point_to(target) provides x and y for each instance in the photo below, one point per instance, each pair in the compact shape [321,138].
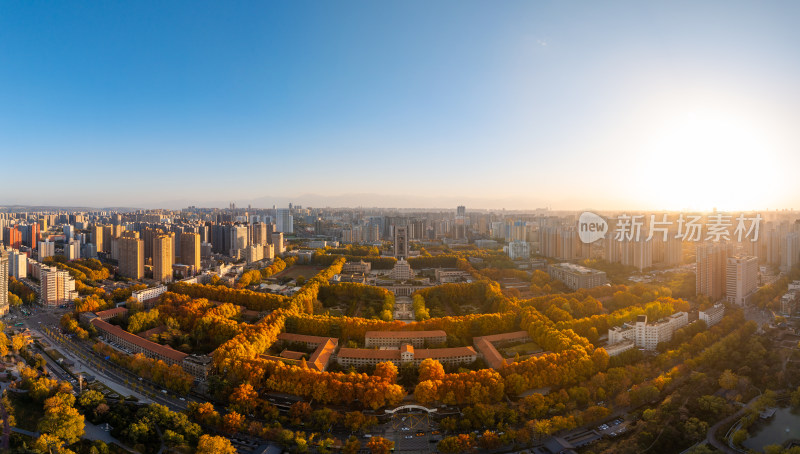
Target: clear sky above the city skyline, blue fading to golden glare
[495,104]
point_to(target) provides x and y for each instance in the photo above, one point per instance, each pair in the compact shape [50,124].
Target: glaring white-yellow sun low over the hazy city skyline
[705,159]
